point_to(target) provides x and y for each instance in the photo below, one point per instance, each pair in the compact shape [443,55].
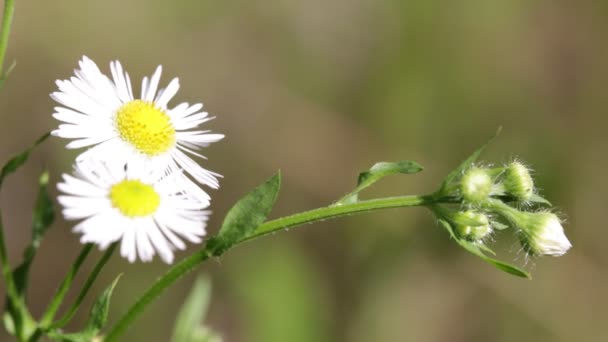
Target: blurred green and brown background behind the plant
[322,90]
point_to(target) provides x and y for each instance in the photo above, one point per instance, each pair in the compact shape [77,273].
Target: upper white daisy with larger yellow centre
[103,114]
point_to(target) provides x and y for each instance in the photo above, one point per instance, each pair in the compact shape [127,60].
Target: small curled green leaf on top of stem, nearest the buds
[375,173]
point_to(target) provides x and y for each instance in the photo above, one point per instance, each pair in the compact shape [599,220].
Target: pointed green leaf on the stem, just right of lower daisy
[246,215]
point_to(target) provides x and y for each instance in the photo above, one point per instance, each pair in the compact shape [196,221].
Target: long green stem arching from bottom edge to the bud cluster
[190,263]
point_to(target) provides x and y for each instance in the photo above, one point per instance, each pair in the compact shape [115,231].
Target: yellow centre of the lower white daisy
[134,198]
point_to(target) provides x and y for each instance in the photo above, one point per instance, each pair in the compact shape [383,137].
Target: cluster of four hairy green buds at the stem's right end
[486,192]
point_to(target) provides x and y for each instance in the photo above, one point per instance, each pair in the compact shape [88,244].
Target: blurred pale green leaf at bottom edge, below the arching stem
[192,312]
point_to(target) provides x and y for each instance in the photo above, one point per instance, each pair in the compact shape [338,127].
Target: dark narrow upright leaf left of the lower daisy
[43,217]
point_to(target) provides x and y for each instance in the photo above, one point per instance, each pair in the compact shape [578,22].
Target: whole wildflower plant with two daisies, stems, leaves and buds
[136,187]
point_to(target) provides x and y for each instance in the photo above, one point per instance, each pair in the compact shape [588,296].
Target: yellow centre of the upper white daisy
[146,127]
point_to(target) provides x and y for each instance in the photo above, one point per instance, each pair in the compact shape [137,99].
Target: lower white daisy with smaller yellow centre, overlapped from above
[139,206]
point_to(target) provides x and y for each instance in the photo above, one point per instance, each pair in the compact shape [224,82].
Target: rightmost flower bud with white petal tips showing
[542,234]
